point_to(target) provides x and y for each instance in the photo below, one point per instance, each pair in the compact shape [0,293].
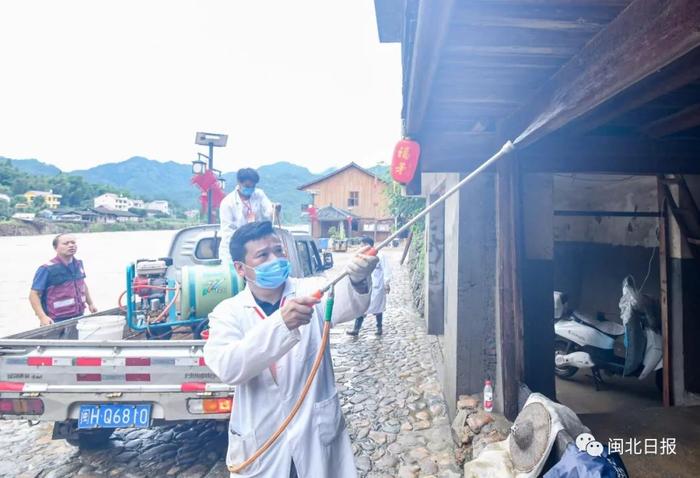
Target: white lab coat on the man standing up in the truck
[232,216]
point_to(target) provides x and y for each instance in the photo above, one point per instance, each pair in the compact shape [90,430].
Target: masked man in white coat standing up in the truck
[247,203]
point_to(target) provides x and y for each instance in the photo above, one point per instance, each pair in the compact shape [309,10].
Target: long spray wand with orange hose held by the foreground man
[505,149]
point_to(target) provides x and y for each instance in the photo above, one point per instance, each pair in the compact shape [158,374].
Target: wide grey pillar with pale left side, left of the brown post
[470,284]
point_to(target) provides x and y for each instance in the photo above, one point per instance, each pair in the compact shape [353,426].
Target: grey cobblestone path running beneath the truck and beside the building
[393,404]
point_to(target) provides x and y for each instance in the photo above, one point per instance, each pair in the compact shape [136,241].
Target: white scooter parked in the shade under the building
[583,342]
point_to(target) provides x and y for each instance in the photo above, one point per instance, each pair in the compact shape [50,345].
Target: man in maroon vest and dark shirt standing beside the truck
[59,291]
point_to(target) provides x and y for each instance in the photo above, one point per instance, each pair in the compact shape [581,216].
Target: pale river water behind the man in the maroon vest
[105,256]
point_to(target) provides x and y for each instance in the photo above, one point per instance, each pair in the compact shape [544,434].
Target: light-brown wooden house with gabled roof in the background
[353,198]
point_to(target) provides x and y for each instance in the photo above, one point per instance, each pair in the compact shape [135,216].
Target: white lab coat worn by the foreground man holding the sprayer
[241,351]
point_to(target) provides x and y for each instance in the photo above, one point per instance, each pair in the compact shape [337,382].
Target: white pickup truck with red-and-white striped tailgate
[89,387]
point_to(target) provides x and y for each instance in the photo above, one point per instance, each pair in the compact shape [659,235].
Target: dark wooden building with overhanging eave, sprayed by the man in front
[602,87]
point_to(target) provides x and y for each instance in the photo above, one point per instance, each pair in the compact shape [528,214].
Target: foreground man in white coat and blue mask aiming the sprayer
[264,341]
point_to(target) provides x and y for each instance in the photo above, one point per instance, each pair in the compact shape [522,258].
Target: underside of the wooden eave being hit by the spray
[481,72]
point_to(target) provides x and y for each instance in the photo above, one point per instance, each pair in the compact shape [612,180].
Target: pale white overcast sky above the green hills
[91,82]
